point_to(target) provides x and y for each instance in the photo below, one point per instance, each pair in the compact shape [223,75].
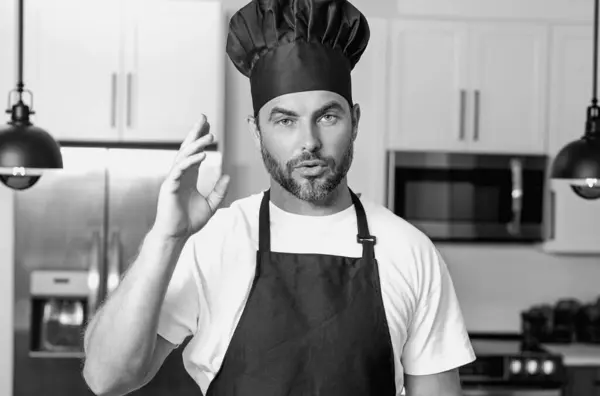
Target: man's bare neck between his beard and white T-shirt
[338,200]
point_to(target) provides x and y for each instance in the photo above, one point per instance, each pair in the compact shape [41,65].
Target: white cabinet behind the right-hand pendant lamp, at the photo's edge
[573,226]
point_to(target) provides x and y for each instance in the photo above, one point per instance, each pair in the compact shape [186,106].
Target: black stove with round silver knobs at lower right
[512,367]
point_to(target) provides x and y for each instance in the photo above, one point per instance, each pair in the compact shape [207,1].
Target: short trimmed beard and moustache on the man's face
[311,189]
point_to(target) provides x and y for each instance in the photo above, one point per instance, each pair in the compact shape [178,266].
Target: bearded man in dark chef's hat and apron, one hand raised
[305,288]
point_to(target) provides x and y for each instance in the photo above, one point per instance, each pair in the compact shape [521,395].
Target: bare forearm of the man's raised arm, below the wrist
[120,339]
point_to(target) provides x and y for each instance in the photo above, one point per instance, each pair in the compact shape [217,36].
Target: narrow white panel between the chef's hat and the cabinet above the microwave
[369,84]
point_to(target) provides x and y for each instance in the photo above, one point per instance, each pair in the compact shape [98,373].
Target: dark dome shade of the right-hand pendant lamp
[578,160]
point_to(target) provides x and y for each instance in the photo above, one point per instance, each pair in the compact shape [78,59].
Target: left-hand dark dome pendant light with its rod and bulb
[25,150]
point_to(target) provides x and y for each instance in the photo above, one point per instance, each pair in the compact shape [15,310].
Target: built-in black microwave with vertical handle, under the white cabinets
[469,196]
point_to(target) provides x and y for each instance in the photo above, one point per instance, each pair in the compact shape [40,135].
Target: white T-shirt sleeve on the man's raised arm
[180,310]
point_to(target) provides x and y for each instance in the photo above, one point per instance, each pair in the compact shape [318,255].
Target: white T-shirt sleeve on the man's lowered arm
[437,336]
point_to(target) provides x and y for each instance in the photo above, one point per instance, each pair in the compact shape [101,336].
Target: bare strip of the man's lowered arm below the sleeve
[446,383]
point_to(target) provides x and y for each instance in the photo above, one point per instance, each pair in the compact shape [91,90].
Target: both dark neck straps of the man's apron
[364,237]
